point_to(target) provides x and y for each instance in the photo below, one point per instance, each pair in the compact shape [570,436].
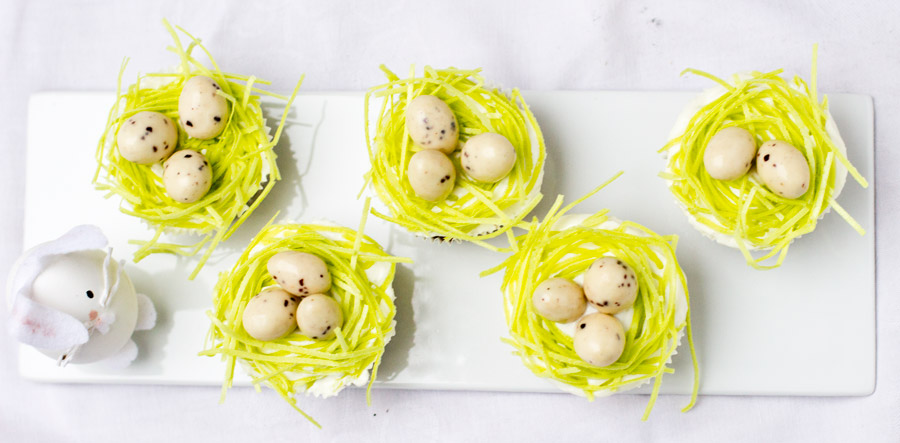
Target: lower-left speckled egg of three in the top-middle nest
[431,175]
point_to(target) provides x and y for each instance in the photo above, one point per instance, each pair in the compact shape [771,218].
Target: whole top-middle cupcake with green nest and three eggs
[452,159]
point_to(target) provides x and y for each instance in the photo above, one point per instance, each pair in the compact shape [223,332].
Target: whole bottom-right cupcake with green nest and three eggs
[594,304]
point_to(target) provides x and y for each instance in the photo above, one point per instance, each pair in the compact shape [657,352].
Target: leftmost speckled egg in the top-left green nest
[147,137]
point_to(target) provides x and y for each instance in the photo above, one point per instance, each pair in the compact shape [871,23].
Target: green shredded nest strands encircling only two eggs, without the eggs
[771,108]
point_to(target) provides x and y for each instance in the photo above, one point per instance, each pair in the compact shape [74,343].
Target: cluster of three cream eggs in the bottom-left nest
[299,301]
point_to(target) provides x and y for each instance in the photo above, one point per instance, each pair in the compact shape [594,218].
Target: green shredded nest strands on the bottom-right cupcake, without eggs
[651,340]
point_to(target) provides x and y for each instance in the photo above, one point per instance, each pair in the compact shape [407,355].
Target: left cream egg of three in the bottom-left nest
[270,314]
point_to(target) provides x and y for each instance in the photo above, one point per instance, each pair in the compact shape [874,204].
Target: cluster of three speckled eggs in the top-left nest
[150,137]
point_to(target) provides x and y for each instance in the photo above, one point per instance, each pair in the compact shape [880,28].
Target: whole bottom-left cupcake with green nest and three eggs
[306,309]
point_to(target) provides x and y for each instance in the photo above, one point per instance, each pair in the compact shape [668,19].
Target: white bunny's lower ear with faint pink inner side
[45,328]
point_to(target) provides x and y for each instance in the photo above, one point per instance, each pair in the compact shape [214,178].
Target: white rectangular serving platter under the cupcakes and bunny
[807,328]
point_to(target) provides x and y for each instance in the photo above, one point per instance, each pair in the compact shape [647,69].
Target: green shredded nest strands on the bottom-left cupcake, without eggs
[295,363]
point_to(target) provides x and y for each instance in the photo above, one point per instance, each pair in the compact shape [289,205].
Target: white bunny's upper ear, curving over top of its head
[30,265]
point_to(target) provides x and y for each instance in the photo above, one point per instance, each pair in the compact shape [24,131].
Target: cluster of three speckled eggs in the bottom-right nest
[610,286]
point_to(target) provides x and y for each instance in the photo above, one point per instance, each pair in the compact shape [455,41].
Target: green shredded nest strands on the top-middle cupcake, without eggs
[473,205]
